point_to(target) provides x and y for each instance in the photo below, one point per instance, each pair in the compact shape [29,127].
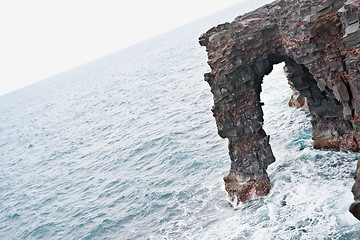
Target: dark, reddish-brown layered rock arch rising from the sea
[319,41]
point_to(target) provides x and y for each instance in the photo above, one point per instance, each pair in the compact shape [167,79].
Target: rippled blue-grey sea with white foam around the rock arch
[126,147]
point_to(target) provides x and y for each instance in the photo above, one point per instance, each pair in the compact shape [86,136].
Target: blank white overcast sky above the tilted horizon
[40,38]
